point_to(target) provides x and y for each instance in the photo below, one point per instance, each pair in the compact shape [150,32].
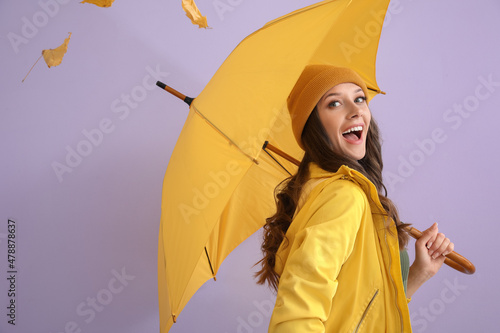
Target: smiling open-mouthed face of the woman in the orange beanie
[346,117]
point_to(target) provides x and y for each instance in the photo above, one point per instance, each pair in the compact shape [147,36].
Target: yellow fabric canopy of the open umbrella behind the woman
[218,187]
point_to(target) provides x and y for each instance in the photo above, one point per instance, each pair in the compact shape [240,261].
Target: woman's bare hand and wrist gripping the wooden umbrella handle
[430,251]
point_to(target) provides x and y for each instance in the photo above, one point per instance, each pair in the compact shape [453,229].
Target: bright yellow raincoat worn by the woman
[340,271]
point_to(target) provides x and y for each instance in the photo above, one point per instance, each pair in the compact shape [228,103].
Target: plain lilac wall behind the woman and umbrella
[77,232]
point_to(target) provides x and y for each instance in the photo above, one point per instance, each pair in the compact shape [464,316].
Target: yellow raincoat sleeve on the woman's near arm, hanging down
[308,282]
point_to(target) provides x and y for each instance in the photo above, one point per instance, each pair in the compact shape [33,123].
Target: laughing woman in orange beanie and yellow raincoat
[332,250]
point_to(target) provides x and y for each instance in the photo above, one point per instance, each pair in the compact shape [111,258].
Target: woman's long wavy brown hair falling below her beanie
[317,146]
